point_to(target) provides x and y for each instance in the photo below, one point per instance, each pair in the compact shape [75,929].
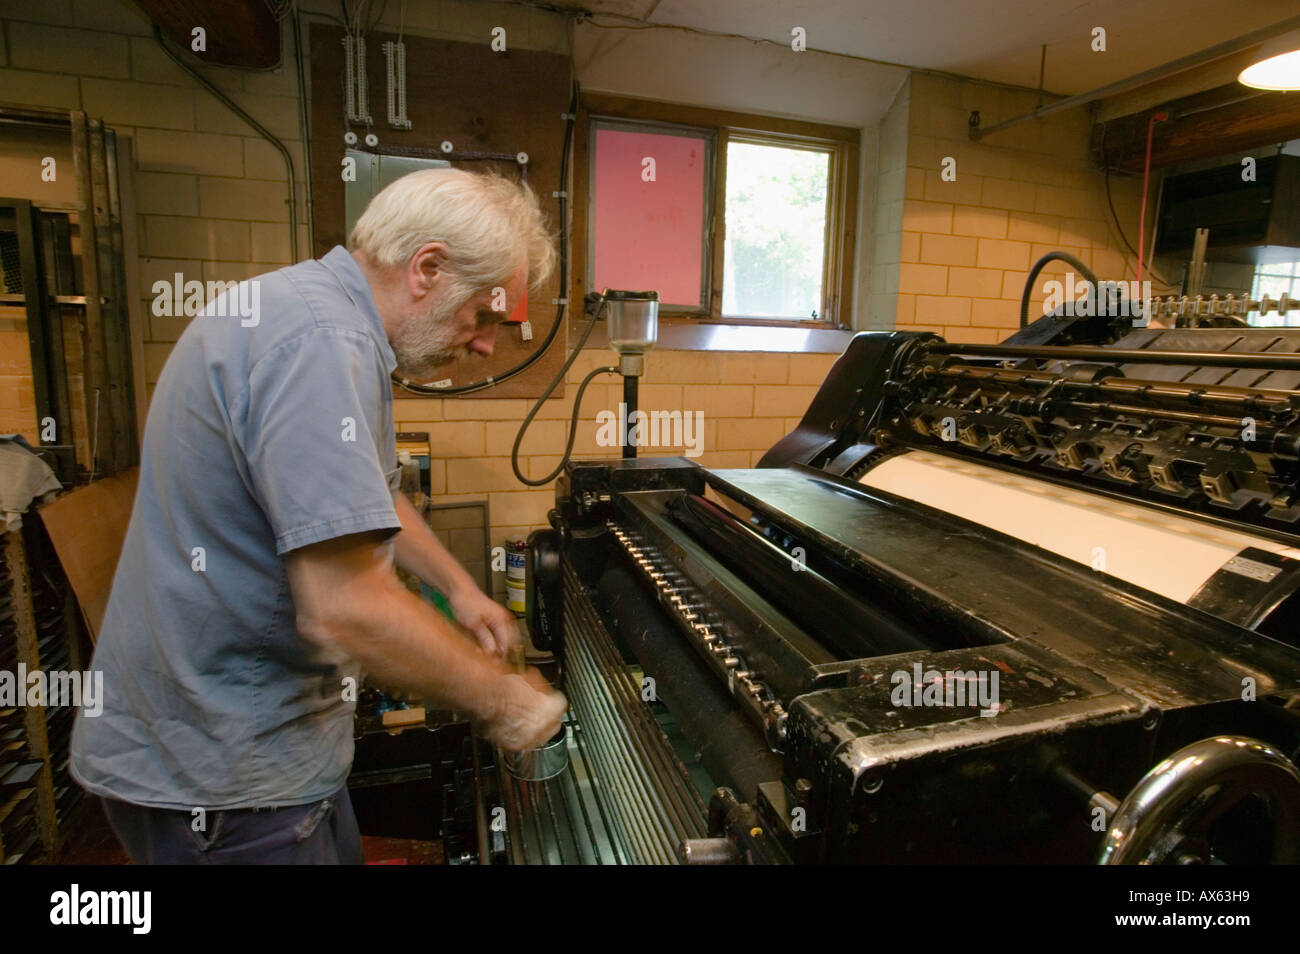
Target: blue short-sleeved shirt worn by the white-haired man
[271,430]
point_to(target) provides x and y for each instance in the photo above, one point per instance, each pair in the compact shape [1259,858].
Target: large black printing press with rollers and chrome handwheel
[1032,604]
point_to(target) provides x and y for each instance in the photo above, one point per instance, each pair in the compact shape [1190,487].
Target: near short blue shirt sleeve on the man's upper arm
[317,428]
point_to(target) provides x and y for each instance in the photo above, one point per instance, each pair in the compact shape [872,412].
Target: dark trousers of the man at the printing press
[323,832]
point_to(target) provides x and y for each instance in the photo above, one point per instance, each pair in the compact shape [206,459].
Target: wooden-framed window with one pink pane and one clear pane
[730,218]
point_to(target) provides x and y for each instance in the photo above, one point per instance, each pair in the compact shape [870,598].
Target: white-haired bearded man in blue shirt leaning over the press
[257,584]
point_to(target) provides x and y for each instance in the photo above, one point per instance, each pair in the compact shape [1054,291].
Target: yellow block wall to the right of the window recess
[965,248]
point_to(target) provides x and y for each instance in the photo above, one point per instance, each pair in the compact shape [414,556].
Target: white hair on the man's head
[491,227]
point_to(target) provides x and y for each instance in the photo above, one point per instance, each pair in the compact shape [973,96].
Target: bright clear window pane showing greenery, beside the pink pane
[774,263]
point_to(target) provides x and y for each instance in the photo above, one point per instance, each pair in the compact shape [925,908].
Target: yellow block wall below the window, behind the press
[749,401]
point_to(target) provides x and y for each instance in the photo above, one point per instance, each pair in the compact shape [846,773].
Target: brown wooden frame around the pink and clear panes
[843,185]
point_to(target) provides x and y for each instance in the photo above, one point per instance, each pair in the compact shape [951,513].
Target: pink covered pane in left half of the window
[649,235]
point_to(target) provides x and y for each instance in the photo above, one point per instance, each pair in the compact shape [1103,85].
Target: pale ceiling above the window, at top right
[990,40]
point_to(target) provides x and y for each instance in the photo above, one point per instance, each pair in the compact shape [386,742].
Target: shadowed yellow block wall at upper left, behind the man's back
[210,194]
